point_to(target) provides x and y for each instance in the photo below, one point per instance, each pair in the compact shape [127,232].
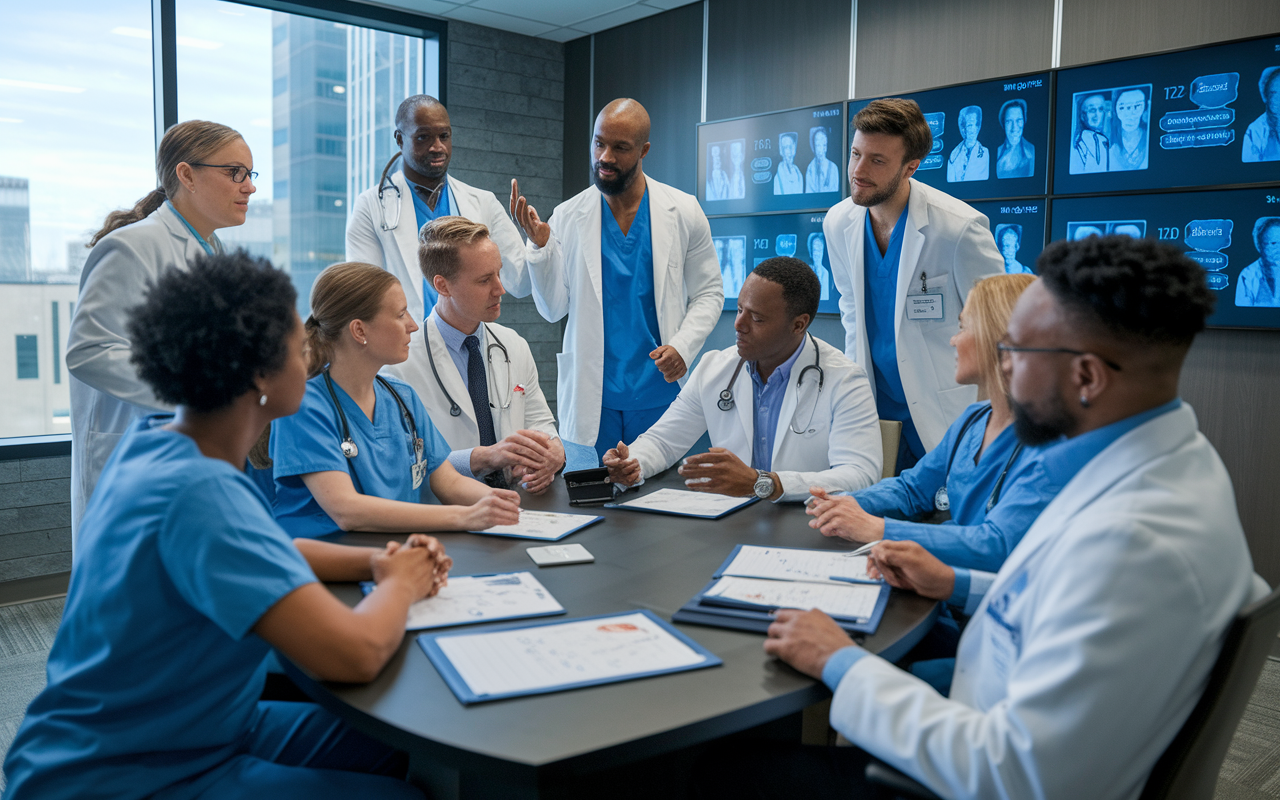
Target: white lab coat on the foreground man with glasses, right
[1094,642]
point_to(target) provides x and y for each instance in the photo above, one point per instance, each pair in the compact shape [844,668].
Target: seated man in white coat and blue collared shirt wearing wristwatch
[785,410]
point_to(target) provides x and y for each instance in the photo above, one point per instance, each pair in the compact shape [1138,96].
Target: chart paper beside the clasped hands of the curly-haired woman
[482,598]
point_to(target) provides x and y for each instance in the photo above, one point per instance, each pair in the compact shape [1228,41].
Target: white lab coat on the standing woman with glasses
[106,390]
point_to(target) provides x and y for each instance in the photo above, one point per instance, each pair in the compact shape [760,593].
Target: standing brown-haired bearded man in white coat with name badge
[904,257]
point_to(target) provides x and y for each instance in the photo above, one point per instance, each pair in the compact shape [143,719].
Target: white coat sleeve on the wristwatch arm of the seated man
[854,447]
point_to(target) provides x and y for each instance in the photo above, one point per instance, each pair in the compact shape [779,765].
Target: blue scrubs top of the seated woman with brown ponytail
[312,442]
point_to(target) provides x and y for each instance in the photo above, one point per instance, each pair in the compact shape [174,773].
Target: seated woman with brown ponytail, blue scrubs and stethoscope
[356,454]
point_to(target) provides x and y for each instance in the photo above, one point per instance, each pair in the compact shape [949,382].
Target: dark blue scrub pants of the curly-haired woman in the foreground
[299,751]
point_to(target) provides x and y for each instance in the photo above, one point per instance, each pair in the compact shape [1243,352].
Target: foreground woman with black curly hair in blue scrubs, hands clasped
[184,582]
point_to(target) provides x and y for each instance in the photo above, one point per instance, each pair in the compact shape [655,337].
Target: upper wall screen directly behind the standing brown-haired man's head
[990,139]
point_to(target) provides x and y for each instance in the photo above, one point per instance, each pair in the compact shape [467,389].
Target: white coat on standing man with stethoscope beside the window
[396,250]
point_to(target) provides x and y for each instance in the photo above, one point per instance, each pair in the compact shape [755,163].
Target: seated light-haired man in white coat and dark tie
[477,378]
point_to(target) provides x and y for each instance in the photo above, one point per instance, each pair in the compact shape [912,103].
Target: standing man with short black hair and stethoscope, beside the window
[386,220]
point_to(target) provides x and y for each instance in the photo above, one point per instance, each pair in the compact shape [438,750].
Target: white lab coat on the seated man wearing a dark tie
[528,406]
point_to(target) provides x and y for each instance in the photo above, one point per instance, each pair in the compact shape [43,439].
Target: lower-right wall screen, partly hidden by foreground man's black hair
[1235,235]
